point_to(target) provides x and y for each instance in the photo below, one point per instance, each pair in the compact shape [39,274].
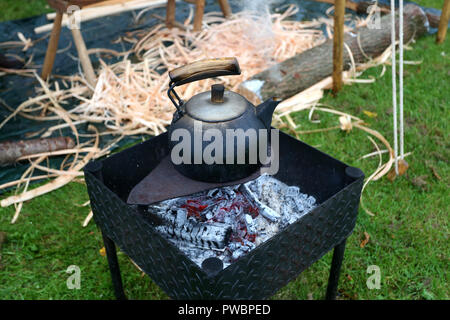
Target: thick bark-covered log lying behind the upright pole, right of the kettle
[300,72]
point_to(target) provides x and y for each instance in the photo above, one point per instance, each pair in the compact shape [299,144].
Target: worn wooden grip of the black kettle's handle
[203,69]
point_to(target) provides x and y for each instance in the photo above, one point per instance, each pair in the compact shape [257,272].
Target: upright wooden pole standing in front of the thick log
[338,44]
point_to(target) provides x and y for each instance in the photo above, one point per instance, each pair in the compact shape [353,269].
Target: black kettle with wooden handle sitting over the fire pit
[217,135]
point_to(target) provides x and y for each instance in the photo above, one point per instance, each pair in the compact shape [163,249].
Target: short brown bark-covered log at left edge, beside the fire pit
[11,151]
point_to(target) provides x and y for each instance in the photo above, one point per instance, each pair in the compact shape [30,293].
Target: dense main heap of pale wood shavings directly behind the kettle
[132,98]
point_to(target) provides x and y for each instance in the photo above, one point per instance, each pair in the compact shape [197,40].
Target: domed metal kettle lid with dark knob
[216,105]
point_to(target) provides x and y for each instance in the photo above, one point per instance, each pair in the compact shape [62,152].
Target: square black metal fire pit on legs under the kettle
[258,274]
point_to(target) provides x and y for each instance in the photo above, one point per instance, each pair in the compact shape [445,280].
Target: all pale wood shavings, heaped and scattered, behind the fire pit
[131,98]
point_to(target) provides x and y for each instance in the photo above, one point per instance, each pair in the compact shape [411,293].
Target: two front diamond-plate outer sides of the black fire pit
[257,275]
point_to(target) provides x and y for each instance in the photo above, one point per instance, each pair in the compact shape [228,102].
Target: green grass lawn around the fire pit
[408,233]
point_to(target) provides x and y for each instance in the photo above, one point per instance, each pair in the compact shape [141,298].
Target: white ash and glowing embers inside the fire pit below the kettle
[229,222]
